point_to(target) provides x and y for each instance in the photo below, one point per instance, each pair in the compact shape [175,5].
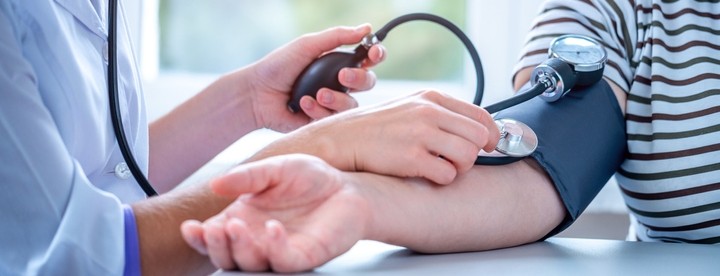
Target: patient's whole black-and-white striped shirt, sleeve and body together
[666,55]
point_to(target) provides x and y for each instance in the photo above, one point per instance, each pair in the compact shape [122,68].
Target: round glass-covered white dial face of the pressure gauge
[583,53]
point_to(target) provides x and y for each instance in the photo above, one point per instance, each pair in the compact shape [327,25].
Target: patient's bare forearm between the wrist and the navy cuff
[487,208]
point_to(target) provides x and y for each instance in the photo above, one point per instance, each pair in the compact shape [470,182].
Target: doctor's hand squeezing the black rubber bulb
[273,76]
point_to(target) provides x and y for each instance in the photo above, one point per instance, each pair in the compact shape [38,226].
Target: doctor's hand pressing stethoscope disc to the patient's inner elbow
[427,134]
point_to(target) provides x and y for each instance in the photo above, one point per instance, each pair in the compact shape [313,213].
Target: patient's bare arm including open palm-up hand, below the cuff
[484,208]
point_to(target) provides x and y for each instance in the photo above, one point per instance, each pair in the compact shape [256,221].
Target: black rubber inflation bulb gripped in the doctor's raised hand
[323,72]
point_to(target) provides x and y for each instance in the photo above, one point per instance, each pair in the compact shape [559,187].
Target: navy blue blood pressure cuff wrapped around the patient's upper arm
[581,142]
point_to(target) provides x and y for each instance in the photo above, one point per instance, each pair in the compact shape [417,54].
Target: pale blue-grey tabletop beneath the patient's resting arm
[556,256]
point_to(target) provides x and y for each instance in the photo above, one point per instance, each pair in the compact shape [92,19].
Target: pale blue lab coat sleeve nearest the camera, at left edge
[53,220]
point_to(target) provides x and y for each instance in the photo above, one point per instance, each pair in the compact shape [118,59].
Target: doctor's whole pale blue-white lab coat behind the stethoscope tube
[61,204]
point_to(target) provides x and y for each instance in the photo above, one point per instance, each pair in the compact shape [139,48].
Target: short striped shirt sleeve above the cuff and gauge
[605,21]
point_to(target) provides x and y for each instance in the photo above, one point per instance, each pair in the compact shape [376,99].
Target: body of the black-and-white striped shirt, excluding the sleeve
[671,177]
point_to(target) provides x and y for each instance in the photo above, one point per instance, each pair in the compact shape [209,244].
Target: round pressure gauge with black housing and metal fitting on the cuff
[574,60]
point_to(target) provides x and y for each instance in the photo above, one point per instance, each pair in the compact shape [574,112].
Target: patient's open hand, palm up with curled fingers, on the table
[294,213]
